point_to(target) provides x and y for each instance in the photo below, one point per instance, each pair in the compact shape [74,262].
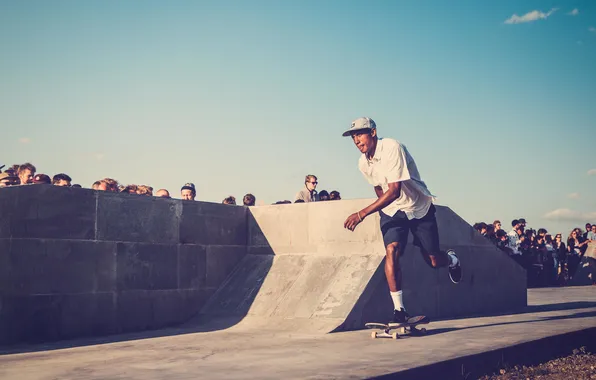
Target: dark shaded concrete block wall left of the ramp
[76,262]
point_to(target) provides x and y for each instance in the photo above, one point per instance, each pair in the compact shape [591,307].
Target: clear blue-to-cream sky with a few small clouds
[496,101]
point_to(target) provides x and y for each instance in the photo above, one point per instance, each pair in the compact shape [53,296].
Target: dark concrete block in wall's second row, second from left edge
[147,266]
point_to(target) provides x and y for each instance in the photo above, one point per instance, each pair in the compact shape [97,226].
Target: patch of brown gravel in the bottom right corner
[580,365]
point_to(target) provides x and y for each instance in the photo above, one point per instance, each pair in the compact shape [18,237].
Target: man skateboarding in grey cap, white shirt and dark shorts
[404,204]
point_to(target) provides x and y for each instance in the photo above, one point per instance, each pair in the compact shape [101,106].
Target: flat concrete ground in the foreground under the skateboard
[555,319]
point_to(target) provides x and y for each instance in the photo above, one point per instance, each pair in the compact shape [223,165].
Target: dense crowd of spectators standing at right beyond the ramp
[548,260]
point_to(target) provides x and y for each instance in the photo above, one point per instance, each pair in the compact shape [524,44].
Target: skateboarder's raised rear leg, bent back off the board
[426,236]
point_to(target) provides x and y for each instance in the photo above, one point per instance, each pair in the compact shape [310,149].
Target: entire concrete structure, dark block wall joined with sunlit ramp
[78,263]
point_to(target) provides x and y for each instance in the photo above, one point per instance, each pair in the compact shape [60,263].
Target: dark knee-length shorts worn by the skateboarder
[425,231]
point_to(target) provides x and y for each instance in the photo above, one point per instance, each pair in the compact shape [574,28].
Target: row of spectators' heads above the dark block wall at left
[26,174]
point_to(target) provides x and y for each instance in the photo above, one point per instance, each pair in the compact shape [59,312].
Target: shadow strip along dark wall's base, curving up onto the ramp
[225,308]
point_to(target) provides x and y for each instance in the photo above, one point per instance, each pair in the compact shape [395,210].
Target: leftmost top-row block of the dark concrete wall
[51,212]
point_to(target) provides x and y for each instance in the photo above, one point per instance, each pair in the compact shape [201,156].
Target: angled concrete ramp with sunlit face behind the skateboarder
[305,273]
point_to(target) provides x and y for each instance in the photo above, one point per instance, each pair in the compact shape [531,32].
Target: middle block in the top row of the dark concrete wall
[134,218]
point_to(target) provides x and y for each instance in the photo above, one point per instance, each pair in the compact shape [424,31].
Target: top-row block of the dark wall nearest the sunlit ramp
[212,224]
